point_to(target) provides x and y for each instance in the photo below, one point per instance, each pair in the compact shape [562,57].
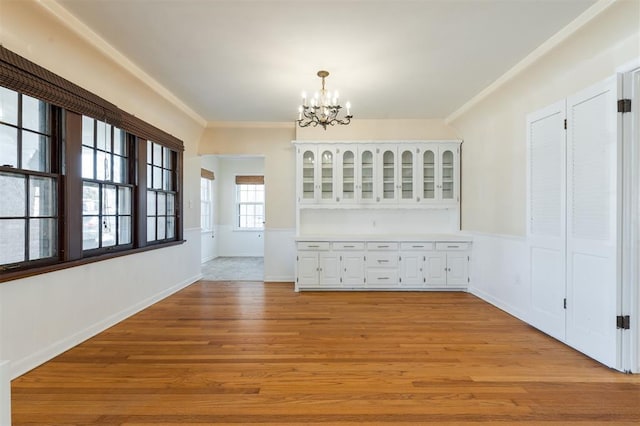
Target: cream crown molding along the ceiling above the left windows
[81,29]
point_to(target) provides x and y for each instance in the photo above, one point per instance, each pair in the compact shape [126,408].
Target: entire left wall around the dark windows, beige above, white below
[44,315]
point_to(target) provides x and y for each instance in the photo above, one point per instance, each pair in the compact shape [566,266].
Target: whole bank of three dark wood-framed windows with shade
[79,178]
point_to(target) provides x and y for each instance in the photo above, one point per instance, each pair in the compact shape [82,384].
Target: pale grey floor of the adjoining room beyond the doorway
[234,269]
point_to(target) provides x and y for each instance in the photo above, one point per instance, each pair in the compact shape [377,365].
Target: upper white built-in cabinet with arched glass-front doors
[412,173]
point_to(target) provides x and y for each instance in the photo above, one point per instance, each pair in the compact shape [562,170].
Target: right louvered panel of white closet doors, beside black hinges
[593,207]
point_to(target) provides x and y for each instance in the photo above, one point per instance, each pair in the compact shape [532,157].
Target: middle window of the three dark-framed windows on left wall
[106,195]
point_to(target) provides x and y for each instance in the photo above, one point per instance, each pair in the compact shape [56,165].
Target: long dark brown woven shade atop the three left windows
[22,75]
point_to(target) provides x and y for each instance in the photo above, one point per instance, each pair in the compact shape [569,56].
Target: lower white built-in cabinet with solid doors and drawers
[382,265]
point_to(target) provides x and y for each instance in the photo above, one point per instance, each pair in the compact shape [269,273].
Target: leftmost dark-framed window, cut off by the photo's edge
[28,188]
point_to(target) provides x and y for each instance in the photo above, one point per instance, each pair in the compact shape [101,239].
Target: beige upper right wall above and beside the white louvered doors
[494,154]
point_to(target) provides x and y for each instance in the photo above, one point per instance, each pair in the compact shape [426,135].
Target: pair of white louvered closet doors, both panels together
[574,221]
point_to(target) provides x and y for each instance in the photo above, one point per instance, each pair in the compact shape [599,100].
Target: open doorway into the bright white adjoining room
[233,245]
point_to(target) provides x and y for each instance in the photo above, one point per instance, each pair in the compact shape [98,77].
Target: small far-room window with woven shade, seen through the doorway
[250,202]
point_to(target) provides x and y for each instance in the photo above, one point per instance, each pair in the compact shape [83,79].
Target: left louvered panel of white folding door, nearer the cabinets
[546,214]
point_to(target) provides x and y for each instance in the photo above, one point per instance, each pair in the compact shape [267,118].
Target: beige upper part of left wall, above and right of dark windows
[29,30]
